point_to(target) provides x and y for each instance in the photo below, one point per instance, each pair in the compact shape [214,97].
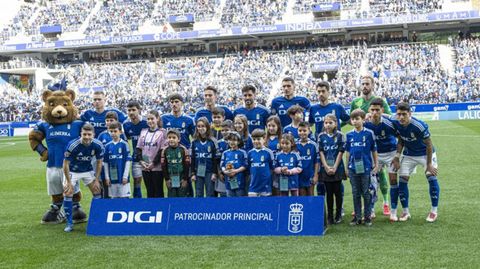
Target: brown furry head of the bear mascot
[58,107]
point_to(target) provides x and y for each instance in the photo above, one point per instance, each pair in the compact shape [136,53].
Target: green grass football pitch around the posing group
[452,242]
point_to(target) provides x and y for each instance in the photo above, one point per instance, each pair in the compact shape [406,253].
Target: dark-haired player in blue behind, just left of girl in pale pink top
[132,128]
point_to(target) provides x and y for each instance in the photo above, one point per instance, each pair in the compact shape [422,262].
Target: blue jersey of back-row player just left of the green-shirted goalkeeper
[318,113]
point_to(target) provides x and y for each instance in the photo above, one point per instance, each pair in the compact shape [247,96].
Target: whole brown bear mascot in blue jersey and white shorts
[59,126]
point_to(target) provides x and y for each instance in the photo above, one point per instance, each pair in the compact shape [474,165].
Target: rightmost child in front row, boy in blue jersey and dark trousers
[361,147]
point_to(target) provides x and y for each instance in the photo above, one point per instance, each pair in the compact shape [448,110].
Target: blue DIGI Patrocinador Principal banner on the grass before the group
[264,216]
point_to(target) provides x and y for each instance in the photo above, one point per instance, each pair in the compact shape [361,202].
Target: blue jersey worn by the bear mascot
[57,137]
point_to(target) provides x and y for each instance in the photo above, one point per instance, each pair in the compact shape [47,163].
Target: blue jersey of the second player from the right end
[385,135]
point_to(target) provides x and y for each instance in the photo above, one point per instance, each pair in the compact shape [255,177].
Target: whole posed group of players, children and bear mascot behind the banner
[295,147]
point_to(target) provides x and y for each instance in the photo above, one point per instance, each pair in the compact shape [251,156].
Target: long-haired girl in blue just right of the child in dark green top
[204,159]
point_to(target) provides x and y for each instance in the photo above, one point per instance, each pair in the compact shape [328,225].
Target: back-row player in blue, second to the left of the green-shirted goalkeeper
[281,104]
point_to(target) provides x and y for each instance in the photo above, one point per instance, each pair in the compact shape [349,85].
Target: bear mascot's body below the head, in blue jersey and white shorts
[57,137]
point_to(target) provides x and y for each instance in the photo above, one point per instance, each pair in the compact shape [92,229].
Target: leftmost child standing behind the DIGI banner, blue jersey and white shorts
[116,163]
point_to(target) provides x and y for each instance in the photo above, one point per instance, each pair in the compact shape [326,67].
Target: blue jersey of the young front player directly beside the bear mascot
[80,155]
